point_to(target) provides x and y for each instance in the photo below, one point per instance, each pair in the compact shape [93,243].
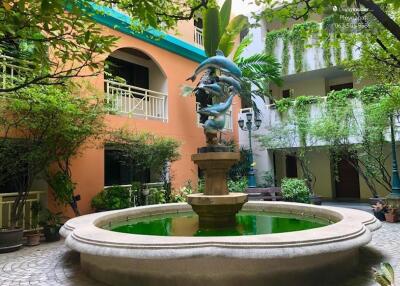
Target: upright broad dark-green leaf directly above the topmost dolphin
[211,34]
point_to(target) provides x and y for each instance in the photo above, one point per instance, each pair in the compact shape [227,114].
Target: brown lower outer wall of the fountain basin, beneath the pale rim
[313,270]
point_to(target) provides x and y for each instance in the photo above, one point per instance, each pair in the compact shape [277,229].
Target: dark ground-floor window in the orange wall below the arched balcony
[119,172]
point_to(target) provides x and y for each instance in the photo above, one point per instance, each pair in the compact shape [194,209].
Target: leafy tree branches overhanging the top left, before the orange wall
[51,45]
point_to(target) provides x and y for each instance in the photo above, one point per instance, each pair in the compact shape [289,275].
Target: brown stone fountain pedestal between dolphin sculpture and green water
[216,207]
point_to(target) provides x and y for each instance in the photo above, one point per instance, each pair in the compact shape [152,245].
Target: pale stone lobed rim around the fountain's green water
[352,229]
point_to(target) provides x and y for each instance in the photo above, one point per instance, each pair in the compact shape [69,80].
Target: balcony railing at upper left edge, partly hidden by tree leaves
[11,71]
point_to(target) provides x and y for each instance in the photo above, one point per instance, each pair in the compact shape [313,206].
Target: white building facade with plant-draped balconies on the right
[308,70]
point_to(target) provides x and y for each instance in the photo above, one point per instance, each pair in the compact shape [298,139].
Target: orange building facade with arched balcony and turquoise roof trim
[153,69]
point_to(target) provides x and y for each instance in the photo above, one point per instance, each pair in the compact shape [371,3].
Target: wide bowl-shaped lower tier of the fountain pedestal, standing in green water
[217,211]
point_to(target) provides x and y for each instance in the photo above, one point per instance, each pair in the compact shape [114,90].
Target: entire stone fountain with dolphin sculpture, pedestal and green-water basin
[219,238]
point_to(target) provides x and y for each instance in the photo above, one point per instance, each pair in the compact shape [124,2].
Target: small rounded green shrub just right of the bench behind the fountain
[295,190]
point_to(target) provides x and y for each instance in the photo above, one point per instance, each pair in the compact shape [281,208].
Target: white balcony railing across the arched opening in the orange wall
[135,101]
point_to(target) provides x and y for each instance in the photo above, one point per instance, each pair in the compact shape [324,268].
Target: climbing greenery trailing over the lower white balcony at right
[359,139]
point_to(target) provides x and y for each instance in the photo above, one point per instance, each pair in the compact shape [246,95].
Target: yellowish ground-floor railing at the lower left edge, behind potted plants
[6,202]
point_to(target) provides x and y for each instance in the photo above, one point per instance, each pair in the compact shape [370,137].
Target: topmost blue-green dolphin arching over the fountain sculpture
[220,62]
